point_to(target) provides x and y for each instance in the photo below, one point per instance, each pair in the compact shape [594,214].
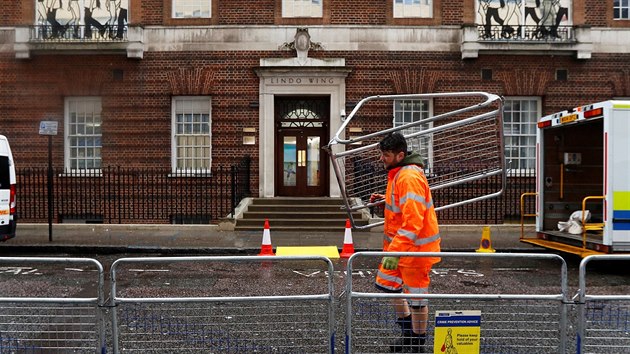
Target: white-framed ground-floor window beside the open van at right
[519,124]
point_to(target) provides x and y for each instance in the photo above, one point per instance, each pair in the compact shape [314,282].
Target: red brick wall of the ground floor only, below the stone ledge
[136,110]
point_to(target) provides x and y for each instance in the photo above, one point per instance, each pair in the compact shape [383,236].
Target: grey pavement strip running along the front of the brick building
[217,239]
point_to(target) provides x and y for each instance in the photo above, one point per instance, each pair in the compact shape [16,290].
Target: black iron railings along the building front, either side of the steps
[123,195]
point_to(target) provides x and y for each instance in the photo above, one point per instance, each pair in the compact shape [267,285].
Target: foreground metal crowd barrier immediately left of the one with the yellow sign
[216,314]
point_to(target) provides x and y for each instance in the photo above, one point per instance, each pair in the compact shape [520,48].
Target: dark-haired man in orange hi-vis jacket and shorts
[410,226]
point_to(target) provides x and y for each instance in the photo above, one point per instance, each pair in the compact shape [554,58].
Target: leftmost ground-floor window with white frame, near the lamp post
[83,133]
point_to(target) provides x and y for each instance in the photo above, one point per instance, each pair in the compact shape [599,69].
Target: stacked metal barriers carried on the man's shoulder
[462,146]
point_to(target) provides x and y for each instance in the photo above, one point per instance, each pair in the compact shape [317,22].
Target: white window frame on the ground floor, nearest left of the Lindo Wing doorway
[191,105]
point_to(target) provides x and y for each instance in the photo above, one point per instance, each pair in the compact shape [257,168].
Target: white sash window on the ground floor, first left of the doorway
[191,134]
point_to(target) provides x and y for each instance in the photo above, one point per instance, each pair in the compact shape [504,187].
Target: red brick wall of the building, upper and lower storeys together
[137,109]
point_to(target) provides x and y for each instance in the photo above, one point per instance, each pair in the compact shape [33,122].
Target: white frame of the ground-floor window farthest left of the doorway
[85,134]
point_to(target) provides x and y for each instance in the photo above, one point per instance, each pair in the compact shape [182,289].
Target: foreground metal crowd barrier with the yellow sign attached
[516,322]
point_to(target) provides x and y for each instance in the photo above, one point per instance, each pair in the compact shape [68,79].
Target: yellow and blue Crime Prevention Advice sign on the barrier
[457,332]
